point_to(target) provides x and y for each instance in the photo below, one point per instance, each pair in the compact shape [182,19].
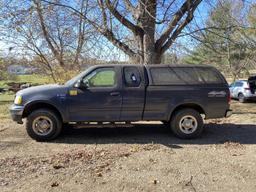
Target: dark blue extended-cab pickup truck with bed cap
[181,96]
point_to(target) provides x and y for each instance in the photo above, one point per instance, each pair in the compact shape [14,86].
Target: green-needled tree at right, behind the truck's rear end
[227,40]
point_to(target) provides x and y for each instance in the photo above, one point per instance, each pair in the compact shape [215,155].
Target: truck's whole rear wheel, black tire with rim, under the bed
[194,123]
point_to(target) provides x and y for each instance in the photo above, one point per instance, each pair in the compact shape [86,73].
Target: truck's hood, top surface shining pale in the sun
[40,89]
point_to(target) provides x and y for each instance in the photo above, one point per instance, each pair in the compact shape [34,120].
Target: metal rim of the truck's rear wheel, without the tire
[188,124]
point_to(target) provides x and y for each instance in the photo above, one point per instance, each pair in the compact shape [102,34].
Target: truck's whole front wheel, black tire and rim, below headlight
[43,125]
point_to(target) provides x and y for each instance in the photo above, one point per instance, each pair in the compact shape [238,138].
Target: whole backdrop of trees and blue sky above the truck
[62,37]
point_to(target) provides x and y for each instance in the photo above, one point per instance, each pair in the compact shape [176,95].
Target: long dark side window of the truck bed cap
[174,76]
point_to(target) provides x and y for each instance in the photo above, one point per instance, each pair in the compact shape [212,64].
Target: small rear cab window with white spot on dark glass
[132,77]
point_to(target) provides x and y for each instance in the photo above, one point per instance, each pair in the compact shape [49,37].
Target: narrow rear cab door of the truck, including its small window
[133,92]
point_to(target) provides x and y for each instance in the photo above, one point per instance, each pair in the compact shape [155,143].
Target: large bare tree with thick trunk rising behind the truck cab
[152,26]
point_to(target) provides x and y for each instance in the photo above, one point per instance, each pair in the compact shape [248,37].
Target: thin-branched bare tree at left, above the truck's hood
[52,36]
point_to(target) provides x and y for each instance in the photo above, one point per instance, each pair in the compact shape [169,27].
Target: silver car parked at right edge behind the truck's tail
[243,90]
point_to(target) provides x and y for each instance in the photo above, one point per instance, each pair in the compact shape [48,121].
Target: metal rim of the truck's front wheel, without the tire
[42,125]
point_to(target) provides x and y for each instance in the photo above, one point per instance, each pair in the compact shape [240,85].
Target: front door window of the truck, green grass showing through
[101,77]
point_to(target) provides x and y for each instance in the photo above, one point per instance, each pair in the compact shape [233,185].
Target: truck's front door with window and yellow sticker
[101,100]
